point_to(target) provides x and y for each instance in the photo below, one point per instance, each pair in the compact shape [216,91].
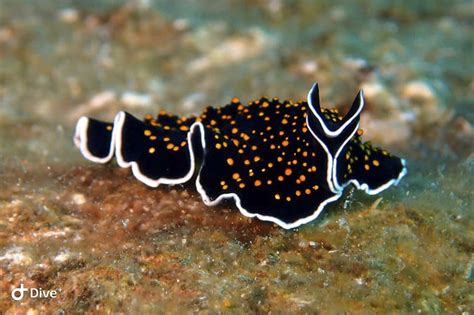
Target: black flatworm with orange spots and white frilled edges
[280,161]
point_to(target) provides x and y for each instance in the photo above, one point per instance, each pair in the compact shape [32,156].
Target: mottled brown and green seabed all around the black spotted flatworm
[113,245]
